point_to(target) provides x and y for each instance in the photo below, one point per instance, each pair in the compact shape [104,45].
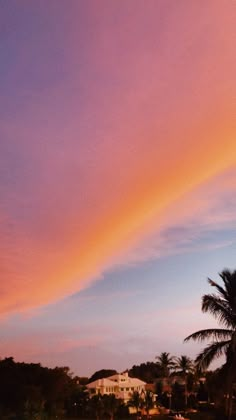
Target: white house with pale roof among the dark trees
[119,384]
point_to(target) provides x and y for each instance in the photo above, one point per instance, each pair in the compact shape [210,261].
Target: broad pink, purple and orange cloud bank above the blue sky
[115,116]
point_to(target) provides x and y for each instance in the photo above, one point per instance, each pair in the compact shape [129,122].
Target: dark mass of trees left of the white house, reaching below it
[29,391]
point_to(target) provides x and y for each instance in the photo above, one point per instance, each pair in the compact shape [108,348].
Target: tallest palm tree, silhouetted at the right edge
[223,307]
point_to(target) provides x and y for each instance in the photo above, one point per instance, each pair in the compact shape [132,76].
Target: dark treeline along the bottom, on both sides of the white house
[31,391]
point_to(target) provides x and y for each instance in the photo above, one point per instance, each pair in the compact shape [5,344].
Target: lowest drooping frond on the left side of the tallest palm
[211,352]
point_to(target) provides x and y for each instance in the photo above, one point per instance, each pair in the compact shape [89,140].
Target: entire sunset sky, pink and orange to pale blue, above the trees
[117,176]
